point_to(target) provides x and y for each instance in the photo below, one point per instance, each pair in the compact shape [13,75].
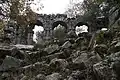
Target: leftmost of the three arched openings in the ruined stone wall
[38,31]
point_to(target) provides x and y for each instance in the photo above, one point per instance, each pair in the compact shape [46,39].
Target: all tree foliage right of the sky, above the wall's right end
[90,9]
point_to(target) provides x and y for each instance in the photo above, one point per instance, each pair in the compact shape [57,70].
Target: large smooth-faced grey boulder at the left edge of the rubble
[10,62]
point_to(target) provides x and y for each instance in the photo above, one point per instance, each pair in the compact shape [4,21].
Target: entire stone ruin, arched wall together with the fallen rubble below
[94,55]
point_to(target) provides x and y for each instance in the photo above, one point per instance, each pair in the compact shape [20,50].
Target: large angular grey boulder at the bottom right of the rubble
[103,72]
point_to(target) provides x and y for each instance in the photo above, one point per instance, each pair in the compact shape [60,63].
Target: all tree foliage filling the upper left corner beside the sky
[19,11]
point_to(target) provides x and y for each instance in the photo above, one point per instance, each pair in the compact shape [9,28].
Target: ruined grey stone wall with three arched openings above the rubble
[49,22]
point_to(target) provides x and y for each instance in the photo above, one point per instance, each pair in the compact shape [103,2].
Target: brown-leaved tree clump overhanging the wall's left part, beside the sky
[21,12]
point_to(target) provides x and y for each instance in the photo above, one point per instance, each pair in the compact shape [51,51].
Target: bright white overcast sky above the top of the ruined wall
[52,6]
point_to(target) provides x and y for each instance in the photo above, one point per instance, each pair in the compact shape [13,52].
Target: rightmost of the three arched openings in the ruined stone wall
[81,27]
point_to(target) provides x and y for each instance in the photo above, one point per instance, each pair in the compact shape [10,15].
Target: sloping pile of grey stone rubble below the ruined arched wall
[81,59]
